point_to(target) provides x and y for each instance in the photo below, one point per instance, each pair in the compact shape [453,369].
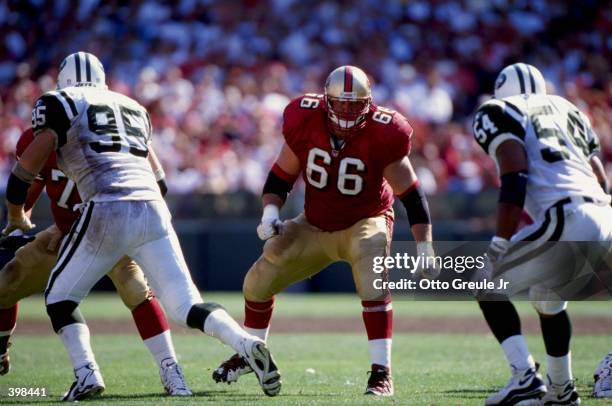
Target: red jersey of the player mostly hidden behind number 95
[61,191]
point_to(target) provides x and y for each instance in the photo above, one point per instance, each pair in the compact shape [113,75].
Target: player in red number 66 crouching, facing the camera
[353,156]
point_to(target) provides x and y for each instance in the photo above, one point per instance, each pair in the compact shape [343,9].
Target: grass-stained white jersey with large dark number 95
[102,142]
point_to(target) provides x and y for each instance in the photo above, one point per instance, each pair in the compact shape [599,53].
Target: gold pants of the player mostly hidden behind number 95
[27,273]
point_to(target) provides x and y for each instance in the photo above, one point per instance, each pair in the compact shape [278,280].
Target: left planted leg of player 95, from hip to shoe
[95,245]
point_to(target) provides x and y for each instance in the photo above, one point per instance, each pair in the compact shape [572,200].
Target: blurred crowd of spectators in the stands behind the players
[216,75]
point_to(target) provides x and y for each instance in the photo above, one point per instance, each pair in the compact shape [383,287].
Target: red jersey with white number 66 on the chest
[344,184]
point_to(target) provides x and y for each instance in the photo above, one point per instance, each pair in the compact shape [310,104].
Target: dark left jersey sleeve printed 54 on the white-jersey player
[497,121]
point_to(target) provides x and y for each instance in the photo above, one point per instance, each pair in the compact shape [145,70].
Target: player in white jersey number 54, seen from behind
[544,148]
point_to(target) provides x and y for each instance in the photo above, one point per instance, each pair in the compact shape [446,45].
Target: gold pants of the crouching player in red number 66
[302,250]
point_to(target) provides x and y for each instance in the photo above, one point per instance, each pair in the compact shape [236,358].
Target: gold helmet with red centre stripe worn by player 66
[348,98]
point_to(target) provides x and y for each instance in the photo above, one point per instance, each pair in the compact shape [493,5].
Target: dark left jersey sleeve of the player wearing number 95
[53,111]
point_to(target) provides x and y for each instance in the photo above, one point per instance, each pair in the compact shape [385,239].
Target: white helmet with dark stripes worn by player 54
[519,78]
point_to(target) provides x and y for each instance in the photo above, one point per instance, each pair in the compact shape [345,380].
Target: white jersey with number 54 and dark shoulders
[559,142]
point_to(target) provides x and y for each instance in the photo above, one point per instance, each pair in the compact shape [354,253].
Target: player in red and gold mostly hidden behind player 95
[27,273]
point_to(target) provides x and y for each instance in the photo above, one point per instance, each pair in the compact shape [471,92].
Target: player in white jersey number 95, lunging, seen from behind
[103,143]
